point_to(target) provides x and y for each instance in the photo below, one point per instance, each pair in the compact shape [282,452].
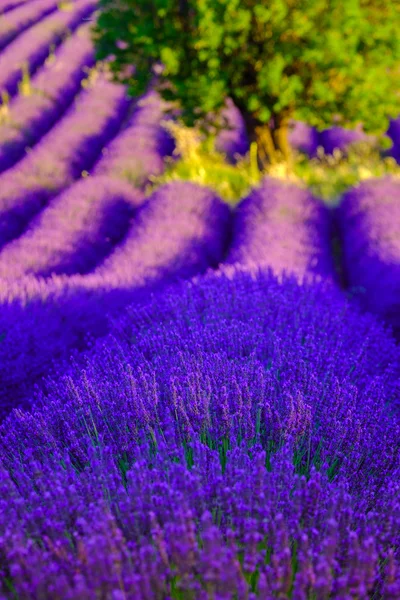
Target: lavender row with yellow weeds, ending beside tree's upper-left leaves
[52,91]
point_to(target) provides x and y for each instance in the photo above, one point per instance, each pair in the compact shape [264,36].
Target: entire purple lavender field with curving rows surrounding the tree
[198,401]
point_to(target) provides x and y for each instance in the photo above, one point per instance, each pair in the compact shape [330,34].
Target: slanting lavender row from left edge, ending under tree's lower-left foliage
[60,157]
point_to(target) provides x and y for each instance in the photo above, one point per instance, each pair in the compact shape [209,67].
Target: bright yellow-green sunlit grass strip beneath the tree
[327,176]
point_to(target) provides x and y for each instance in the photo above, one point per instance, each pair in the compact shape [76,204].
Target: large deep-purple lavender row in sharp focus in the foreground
[234,437]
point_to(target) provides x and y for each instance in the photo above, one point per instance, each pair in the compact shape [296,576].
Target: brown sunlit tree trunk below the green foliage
[272,140]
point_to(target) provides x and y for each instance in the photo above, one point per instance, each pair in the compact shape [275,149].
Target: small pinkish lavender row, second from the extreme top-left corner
[15,22]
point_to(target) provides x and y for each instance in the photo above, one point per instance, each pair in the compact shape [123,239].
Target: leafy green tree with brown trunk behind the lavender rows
[322,61]
